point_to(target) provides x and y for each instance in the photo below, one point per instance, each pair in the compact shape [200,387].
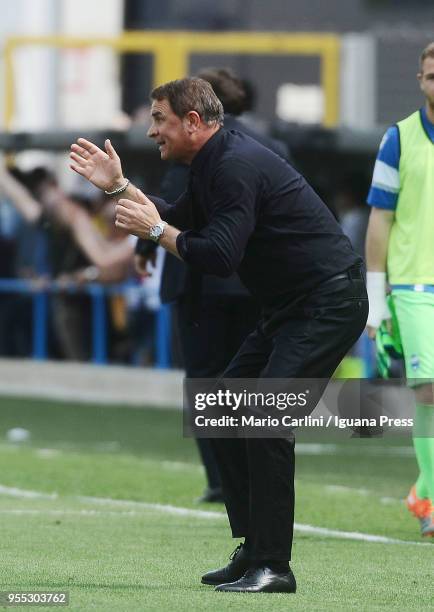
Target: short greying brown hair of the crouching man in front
[191,94]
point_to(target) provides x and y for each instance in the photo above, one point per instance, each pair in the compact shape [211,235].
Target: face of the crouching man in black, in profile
[169,132]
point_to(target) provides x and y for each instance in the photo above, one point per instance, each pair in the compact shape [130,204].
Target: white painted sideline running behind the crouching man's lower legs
[175,510]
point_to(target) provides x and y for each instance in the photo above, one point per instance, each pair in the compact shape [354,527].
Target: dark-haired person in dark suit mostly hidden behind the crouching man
[227,313]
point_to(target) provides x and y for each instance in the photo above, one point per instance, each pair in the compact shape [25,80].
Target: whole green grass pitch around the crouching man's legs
[142,556]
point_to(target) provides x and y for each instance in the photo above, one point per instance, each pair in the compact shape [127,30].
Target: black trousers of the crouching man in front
[258,474]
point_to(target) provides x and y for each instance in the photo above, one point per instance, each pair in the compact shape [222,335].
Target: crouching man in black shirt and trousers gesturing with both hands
[247,210]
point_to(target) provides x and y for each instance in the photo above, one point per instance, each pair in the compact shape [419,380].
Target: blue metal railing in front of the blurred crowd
[39,291]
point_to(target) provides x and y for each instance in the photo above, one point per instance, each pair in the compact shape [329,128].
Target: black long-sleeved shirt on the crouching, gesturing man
[246,209]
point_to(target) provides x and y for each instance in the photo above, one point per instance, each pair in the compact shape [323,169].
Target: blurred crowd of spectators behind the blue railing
[65,243]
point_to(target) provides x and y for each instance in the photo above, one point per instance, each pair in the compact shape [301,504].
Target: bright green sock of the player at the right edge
[424,449]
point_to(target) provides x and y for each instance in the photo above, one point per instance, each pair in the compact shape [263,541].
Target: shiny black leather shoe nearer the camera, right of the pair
[262,580]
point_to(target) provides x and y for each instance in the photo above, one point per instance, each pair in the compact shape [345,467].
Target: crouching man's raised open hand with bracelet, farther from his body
[102,168]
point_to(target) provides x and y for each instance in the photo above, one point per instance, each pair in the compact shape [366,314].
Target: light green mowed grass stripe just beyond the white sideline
[131,477]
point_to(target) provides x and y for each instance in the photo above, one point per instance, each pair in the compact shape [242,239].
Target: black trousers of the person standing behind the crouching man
[225,322]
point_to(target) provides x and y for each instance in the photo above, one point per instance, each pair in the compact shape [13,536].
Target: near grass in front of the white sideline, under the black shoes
[153,562]
